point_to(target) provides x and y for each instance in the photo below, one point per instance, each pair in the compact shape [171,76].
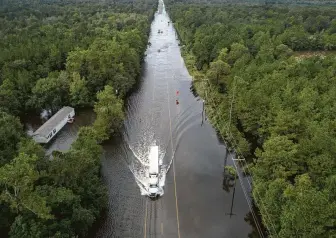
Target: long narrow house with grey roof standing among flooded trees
[51,127]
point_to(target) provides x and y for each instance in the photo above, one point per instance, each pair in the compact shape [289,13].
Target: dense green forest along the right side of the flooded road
[268,75]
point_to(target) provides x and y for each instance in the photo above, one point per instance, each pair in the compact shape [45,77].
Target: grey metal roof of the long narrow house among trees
[47,127]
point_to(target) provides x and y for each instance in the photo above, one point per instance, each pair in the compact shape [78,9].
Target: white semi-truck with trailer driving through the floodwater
[153,172]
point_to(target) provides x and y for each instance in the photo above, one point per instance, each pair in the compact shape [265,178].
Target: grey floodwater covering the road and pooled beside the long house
[195,201]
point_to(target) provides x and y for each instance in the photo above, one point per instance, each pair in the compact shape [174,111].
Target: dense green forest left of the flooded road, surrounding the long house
[57,53]
